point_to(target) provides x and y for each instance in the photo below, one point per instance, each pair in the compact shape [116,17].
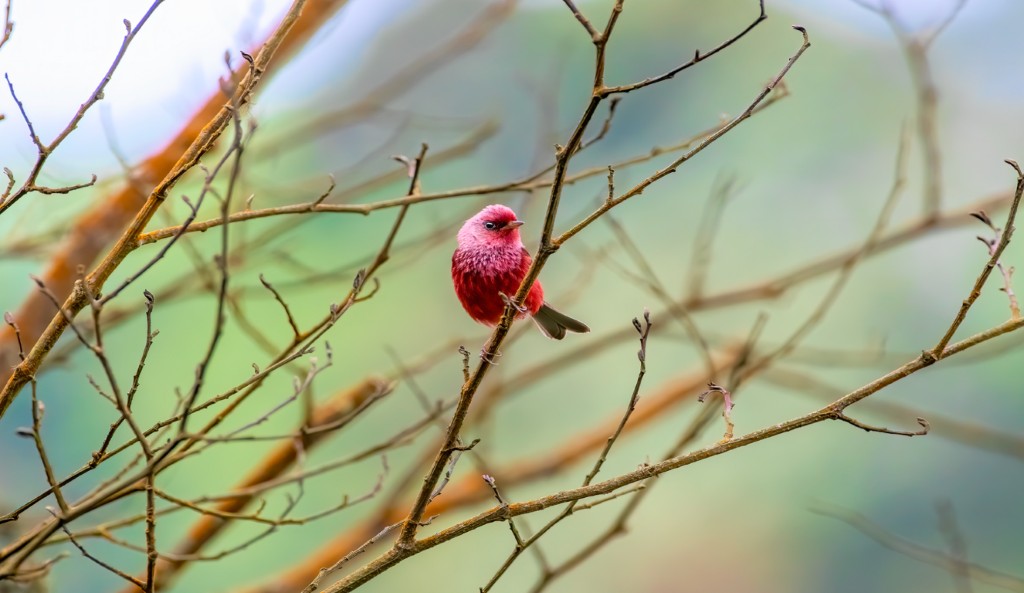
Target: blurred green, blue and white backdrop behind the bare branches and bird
[807,178]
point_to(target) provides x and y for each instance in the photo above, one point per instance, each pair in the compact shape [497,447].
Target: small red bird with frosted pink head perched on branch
[489,267]
